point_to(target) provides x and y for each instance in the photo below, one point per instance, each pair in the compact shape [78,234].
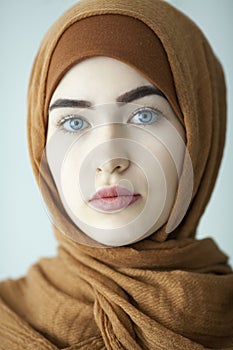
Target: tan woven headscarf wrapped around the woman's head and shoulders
[169,291]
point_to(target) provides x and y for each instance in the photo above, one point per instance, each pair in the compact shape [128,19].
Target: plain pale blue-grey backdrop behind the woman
[26,232]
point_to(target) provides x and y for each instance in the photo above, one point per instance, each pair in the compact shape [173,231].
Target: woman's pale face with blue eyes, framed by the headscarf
[115,149]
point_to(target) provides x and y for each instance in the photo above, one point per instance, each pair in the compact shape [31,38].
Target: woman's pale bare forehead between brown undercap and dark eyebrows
[99,78]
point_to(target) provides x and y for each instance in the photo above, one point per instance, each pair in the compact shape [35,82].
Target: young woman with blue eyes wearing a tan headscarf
[126,127]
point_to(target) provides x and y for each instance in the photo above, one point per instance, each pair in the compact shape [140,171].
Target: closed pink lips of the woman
[113,198]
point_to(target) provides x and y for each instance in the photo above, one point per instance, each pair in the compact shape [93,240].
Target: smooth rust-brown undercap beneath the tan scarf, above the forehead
[110,35]
